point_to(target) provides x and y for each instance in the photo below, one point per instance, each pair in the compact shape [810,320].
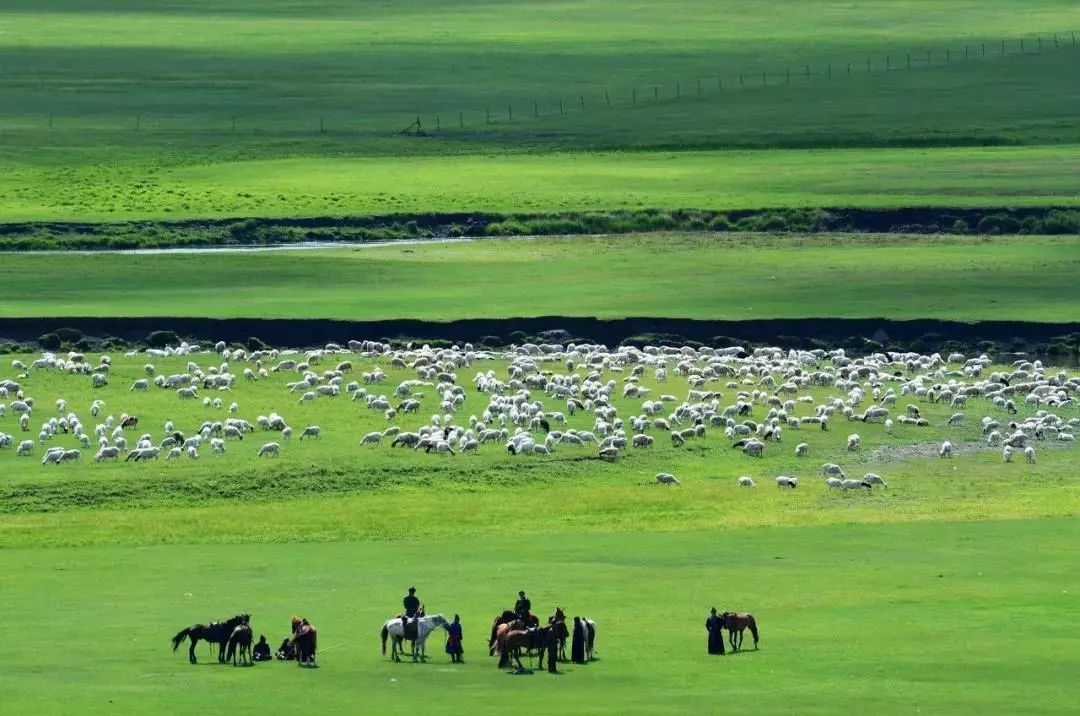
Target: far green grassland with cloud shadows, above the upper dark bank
[80,77]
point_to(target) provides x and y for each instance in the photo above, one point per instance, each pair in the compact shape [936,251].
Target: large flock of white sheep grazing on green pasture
[524,408]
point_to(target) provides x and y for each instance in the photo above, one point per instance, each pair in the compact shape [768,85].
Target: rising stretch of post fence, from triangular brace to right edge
[704,85]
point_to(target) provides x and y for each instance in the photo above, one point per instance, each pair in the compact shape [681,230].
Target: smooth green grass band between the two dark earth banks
[676,276]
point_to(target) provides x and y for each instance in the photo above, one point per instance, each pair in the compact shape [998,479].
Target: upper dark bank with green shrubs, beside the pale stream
[275,232]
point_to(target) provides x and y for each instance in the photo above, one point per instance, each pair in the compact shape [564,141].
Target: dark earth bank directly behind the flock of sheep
[858,335]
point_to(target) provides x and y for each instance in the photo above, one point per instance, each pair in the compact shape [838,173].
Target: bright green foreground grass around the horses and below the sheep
[936,595]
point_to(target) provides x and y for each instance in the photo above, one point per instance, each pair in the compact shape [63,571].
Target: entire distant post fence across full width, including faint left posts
[512,112]
